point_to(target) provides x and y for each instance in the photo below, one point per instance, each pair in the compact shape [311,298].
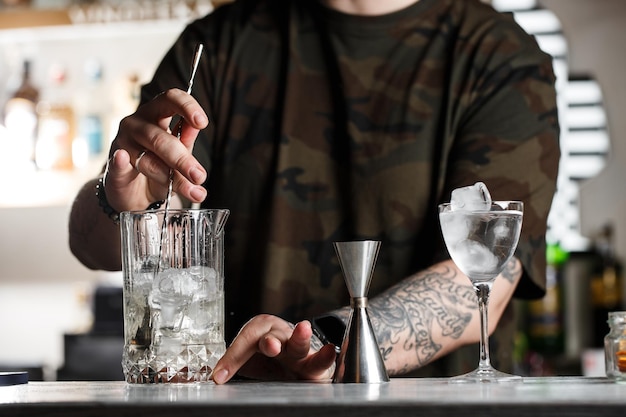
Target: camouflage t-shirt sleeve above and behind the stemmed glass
[507,137]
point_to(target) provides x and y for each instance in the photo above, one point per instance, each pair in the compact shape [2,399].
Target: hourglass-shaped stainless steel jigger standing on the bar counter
[360,359]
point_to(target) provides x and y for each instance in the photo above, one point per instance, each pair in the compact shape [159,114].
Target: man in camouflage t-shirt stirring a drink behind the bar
[318,121]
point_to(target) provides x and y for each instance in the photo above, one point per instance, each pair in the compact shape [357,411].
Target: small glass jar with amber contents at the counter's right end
[615,346]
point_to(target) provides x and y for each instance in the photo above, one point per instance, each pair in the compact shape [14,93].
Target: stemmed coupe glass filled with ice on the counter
[481,240]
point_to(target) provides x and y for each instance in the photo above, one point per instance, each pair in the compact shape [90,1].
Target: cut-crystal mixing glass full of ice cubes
[173,294]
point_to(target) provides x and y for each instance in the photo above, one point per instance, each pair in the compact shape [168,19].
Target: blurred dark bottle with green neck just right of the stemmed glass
[545,315]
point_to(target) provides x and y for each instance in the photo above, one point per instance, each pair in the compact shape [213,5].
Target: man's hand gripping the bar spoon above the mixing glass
[144,151]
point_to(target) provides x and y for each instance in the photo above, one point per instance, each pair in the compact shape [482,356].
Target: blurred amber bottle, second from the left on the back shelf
[57,126]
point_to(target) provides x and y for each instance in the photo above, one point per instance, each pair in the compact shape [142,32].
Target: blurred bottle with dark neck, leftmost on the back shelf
[20,119]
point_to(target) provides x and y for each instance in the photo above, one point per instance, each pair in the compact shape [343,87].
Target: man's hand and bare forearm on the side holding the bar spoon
[130,185]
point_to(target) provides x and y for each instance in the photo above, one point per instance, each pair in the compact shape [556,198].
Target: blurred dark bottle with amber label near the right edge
[606,285]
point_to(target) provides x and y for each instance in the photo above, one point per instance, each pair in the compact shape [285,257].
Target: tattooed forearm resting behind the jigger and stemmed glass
[426,315]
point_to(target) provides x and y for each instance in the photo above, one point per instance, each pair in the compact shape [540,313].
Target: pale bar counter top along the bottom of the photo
[558,396]
